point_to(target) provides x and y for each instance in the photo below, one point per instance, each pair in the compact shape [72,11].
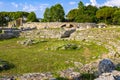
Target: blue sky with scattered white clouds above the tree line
[38,6]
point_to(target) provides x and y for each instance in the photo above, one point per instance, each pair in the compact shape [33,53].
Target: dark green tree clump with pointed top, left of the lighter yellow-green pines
[83,13]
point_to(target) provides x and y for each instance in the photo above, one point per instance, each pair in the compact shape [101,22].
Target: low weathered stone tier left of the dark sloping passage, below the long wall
[43,33]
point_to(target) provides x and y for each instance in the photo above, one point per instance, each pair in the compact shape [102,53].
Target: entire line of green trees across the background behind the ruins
[56,13]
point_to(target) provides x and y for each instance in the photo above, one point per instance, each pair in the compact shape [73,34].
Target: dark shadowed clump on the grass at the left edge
[5,65]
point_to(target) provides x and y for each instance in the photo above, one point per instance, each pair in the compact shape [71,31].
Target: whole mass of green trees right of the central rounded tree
[109,15]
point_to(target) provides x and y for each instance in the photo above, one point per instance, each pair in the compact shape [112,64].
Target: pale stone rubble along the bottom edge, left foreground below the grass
[31,76]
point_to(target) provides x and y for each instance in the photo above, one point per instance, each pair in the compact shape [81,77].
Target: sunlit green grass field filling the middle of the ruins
[41,58]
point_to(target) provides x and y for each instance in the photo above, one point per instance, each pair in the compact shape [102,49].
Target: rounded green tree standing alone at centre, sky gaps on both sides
[55,13]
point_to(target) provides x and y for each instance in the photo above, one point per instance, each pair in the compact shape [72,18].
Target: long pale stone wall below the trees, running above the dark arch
[39,25]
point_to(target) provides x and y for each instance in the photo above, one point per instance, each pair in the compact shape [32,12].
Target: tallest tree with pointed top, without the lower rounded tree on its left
[86,13]
